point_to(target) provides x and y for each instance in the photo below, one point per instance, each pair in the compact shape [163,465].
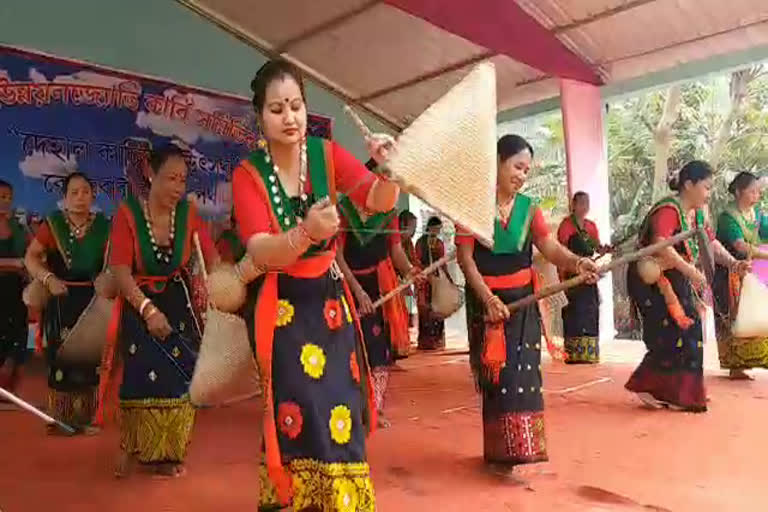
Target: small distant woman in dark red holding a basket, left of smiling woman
[429,248]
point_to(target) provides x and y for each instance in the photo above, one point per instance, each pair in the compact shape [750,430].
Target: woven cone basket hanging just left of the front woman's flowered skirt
[226,371]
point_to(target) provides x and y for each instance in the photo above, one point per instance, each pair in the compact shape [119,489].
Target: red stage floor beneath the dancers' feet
[607,453]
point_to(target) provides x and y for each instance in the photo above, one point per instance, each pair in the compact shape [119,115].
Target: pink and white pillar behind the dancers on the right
[587,161]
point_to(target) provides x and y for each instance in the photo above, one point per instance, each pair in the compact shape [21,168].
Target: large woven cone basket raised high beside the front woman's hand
[458,131]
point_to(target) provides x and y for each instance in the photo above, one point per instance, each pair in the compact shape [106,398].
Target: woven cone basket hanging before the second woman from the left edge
[85,342]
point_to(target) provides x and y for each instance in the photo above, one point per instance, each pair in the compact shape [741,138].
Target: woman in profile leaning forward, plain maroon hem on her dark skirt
[672,373]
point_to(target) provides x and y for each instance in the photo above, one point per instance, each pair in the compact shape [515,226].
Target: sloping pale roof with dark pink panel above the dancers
[393,58]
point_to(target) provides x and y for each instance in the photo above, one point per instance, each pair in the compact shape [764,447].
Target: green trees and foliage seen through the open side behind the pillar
[721,118]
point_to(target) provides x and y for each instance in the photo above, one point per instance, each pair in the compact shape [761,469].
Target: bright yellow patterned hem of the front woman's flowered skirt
[330,487]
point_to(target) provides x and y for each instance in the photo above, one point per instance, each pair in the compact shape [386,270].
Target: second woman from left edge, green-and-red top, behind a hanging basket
[66,255]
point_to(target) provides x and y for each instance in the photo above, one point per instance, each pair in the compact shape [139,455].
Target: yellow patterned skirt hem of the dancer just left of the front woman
[156,430]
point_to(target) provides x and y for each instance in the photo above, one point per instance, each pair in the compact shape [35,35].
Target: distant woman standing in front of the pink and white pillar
[581,317]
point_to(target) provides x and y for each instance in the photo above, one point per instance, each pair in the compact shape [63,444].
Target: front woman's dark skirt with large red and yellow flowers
[318,397]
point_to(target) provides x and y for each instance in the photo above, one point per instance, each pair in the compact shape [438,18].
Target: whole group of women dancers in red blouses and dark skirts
[327,226]
